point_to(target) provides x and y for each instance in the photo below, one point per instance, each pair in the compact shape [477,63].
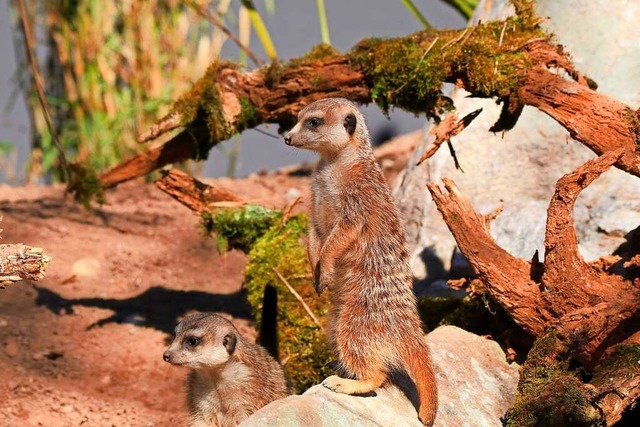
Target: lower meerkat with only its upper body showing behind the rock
[230,377]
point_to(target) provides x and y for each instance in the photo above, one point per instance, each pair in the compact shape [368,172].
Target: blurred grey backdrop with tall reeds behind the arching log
[110,68]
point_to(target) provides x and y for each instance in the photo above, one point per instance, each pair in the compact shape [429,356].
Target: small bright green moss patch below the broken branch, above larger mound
[239,228]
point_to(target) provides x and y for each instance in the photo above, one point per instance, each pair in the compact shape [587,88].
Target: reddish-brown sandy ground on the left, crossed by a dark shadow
[84,346]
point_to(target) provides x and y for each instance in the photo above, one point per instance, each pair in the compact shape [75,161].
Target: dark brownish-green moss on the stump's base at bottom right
[549,394]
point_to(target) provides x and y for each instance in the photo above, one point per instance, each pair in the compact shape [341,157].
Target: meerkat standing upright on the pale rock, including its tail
[357,247]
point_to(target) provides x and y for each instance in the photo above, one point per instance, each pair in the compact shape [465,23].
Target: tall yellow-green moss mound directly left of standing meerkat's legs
[302,343]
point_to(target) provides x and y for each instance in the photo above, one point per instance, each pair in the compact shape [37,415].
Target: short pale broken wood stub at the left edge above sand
[19,262]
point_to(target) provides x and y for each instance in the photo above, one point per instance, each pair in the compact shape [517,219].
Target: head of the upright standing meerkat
[328,126]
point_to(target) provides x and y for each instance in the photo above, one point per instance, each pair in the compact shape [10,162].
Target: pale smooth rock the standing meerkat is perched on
[476,386]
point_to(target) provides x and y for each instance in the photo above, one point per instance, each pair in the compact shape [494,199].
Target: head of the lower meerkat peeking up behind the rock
[202,340]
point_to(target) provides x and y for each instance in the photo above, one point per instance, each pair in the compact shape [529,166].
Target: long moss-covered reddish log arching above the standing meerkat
[509,61]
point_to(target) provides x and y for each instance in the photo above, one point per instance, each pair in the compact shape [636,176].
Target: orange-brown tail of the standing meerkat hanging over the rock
[419,368]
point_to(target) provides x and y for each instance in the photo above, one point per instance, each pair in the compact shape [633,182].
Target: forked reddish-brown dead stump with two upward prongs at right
[590,308]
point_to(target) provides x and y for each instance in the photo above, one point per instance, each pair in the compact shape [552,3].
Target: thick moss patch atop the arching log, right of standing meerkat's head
[408,72]
